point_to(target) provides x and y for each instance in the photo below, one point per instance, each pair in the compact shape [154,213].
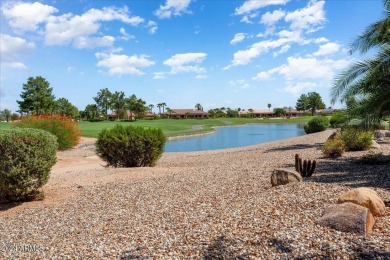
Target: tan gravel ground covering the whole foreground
[199,205]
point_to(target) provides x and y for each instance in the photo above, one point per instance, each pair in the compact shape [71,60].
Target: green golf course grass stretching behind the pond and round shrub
[174,127]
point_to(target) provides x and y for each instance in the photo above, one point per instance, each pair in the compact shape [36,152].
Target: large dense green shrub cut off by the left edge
[27,156]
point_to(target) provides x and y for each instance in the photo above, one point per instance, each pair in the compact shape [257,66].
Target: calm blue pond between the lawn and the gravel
[236,136]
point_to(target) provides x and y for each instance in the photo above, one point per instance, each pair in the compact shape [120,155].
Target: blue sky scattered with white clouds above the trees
[220,53]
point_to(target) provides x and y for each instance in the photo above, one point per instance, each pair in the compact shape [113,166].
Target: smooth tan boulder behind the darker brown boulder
[365,197]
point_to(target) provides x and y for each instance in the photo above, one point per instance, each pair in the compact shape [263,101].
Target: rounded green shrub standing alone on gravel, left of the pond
[130,146]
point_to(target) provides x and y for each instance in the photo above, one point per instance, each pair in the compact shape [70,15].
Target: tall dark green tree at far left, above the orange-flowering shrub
[37,96]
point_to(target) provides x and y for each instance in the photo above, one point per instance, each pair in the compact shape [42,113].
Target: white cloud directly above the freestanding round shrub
[123,64]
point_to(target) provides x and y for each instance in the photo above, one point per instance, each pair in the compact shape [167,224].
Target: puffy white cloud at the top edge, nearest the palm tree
[307,18]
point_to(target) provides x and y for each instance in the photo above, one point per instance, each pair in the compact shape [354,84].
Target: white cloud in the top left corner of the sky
[27,16]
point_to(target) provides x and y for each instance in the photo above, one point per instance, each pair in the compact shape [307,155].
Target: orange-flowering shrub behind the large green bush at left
[64,128]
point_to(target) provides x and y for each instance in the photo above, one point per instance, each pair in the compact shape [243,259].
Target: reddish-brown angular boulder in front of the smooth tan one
[348,217]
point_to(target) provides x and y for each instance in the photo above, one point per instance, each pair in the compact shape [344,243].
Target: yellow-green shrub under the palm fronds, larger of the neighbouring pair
[356,139]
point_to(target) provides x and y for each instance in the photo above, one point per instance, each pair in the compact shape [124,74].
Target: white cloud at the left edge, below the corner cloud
[11,48]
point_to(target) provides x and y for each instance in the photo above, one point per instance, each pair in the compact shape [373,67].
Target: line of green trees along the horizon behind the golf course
[37,98]
